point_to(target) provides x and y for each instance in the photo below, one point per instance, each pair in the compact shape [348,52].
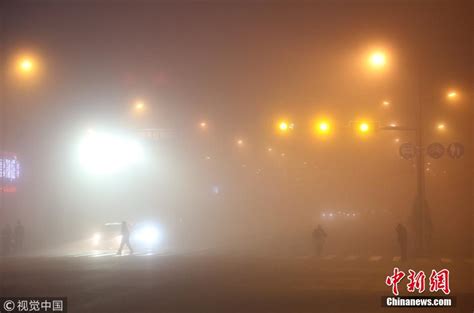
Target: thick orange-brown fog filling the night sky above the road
[240,67]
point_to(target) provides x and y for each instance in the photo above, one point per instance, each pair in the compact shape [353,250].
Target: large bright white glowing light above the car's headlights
[105,153]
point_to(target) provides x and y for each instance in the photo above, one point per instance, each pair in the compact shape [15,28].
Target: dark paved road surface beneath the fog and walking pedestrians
[201,281]
